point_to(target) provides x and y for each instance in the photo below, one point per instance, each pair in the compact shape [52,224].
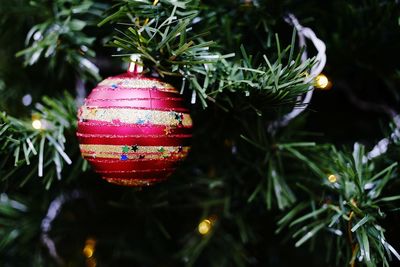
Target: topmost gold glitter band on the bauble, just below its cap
[139,83]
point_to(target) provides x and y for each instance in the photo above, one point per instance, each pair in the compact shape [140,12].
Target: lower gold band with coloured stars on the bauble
[132,148]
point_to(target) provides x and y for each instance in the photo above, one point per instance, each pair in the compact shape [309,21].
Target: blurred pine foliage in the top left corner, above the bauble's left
[60,36]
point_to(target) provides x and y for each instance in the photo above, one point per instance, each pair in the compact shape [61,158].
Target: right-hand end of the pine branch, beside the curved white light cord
[263,85]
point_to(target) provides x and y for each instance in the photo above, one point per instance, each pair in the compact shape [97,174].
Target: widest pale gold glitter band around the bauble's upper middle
[136,116]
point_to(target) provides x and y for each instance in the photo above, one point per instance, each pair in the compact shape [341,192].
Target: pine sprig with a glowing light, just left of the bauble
[20,140]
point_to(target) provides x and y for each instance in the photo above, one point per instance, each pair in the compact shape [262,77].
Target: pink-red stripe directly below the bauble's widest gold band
[132,129]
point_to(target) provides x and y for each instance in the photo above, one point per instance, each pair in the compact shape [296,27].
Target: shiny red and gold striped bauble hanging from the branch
[134,130]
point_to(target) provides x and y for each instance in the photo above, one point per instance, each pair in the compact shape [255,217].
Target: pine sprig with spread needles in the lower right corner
[352,204]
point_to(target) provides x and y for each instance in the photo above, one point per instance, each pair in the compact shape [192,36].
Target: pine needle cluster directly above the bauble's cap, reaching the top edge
[163,35]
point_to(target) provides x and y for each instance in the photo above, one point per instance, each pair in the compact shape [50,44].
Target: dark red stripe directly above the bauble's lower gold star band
[151,140]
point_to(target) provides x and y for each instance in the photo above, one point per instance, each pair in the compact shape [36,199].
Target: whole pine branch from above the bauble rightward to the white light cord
[164,36]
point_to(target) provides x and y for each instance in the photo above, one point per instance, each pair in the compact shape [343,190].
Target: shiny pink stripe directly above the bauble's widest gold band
[153,104]
